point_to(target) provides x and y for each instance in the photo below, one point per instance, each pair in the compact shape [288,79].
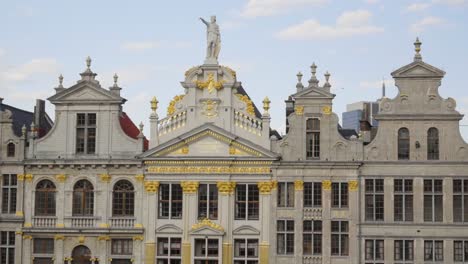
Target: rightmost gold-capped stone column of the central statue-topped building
[265,216]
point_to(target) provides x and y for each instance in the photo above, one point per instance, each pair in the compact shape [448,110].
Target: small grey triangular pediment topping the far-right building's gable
[418,69]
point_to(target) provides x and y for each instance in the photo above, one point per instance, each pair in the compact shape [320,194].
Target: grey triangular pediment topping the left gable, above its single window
[85,92]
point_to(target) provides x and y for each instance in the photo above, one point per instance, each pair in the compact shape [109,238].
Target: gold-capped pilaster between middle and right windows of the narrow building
[326,224]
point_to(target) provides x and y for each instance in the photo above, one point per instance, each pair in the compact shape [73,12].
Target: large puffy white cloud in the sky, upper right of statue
[348,24]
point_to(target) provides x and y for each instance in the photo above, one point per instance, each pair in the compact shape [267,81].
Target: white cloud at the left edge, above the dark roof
[25,71]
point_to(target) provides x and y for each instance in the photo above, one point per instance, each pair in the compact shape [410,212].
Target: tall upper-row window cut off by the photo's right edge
[460,200]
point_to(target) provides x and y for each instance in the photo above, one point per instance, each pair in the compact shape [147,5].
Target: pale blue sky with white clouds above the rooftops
[150,44]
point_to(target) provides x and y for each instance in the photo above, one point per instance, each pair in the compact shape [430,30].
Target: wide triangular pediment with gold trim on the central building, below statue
[209,141]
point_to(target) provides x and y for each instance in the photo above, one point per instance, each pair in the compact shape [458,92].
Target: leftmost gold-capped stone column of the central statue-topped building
[151,188]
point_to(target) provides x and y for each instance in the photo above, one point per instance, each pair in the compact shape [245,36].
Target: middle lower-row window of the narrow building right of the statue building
[312,237]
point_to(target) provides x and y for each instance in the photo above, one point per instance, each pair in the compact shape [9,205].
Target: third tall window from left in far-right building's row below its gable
[433,206]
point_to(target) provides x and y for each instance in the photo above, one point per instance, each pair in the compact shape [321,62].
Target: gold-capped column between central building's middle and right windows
[225,206]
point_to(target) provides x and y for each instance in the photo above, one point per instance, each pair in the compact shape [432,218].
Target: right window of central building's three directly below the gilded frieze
[247,202]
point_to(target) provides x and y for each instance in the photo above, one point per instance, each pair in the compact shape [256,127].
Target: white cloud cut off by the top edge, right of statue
[258,8]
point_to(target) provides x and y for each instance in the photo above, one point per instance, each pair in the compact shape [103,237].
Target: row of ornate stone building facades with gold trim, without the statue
[215,184]
